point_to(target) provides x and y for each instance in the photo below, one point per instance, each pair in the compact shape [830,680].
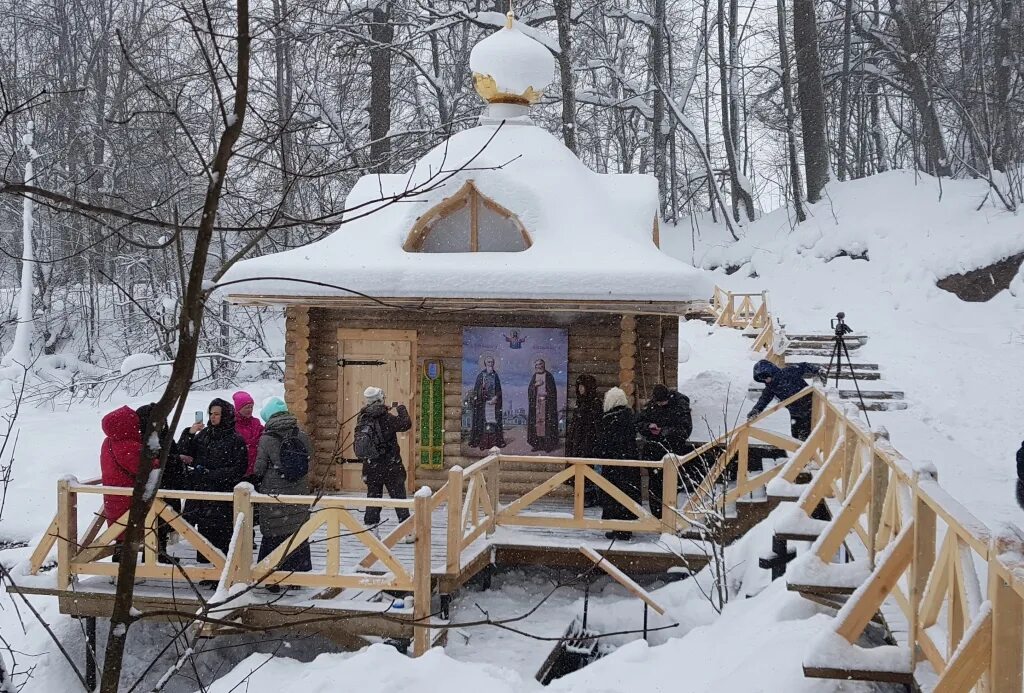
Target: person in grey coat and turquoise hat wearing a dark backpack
[278,523]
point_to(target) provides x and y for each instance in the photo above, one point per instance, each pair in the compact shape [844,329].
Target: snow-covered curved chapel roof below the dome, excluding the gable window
[592,234]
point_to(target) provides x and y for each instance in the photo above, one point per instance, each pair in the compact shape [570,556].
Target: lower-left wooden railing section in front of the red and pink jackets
[84,554]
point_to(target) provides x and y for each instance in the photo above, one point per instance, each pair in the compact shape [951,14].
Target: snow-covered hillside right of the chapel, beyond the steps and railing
[959,363]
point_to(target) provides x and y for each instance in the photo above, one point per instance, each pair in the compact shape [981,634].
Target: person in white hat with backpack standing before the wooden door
[376,444]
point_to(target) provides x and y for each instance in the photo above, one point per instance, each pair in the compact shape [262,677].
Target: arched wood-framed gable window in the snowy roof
[468,223]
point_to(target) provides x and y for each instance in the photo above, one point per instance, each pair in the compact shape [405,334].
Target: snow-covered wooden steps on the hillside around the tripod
[818,350]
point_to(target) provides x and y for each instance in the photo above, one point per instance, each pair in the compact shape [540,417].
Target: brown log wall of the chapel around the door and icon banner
[598,345]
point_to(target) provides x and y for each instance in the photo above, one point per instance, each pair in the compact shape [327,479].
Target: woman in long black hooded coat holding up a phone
[220,459]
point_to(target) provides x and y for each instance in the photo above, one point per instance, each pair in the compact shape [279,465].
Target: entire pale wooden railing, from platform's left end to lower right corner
[960,589]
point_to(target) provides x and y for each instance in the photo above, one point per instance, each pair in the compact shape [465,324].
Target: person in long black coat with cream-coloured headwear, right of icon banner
[617,441]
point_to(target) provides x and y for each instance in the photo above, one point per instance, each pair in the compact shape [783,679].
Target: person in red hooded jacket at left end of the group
[119,461]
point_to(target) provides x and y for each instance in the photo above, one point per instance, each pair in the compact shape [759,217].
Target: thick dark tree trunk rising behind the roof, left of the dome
[381,37]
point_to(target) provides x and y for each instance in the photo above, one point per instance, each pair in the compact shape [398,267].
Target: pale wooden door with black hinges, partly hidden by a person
[381,359]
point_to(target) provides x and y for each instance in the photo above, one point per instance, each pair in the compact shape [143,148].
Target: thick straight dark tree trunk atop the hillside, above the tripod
[813,98]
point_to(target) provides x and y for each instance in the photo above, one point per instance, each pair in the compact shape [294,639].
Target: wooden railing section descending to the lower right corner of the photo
[960,589]
